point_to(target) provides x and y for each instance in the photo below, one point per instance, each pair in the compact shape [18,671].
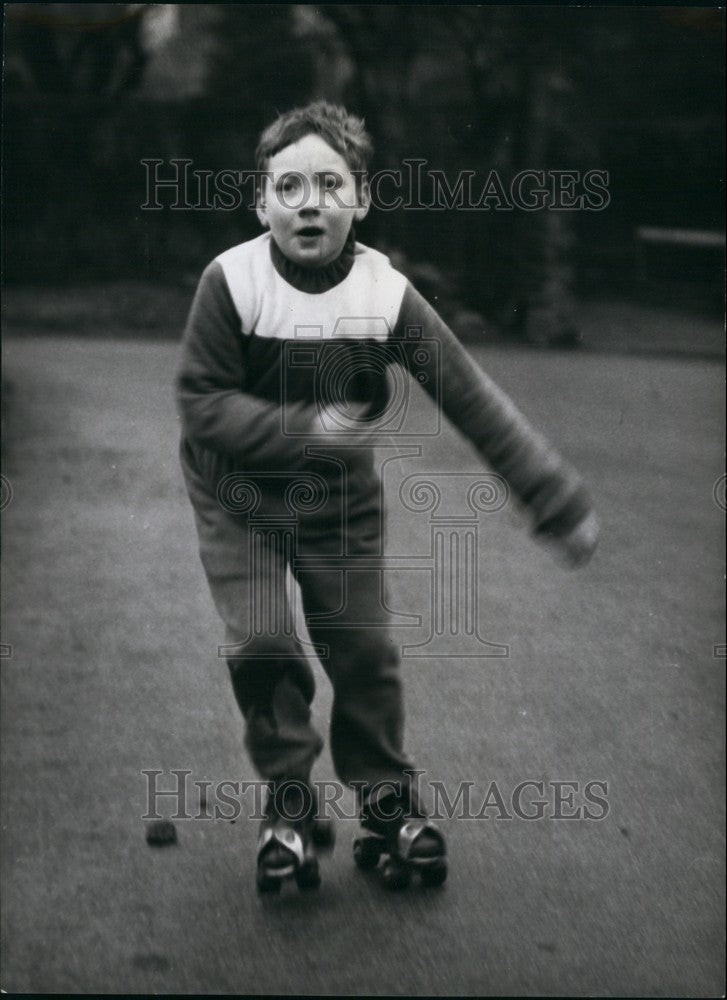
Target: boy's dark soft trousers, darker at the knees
[247,558]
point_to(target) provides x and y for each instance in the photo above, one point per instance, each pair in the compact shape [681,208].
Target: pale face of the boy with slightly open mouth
[309,199]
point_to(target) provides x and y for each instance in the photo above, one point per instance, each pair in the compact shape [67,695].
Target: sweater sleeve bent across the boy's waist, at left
[216,413]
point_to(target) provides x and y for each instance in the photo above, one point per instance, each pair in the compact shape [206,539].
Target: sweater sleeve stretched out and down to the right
[484,414]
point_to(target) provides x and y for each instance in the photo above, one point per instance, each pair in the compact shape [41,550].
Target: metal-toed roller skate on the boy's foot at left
[291,838]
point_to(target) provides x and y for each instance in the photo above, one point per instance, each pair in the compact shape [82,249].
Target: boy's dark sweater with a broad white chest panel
[267,341]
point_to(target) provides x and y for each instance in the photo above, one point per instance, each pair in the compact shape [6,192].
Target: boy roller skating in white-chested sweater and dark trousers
[253,414]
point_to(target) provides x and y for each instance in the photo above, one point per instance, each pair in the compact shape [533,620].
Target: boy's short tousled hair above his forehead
[343,132]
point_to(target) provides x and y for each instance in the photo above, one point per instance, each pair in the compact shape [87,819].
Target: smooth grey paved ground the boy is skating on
[612,676]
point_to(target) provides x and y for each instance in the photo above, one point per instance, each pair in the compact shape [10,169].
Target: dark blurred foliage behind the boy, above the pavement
[91,89]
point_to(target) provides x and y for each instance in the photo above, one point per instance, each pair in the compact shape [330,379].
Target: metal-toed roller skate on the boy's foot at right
[395,831]
